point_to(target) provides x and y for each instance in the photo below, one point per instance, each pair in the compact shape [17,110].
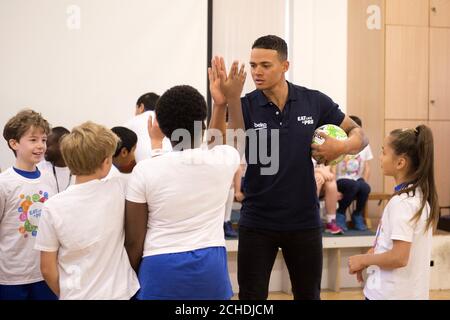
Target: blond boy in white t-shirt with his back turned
[82,229]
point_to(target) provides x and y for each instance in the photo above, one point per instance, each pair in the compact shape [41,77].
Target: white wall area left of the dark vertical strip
[121,50]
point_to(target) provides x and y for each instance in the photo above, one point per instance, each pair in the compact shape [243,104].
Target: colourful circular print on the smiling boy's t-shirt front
[30,212]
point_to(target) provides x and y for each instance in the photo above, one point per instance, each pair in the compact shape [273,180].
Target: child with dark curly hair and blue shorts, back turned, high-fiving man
[176,204]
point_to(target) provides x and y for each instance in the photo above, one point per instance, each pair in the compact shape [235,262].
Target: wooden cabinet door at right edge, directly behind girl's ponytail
[441,134]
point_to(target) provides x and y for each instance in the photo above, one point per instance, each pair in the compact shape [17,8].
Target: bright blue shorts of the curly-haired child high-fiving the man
[194,275]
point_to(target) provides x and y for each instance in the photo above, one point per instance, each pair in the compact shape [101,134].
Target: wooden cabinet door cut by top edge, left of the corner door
[407,12]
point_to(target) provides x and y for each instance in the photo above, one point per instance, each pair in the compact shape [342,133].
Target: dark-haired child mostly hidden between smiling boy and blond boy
[54,163]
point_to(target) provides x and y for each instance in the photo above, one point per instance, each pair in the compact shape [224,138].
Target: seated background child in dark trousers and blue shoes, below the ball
[352,175]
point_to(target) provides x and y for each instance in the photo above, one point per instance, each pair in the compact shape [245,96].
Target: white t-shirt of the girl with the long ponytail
[413,281]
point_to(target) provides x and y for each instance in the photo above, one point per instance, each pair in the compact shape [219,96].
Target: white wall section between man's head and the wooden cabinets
[319,47]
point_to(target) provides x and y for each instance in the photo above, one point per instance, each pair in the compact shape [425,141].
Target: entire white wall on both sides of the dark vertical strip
[125,48]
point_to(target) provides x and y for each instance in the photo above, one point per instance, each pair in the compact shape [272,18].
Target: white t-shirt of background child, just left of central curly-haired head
[139,124]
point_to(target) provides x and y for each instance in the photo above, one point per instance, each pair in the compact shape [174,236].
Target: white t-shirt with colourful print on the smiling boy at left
[21,203]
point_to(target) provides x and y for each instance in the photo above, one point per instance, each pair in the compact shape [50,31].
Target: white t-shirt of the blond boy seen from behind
[85,224]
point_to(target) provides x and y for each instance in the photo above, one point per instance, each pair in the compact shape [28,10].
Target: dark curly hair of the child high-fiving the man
[179,108]
